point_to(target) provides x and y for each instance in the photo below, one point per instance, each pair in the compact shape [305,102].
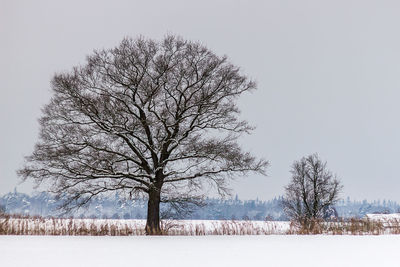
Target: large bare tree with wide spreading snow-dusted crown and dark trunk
[153,119]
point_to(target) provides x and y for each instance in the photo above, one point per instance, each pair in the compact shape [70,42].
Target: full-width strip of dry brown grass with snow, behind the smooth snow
[20,225]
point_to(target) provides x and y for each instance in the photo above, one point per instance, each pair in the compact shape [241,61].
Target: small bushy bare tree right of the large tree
[313,189]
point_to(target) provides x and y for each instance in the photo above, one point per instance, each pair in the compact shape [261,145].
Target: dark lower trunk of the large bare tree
[153,213]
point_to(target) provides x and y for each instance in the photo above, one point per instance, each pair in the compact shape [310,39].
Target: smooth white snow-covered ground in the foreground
[272,250]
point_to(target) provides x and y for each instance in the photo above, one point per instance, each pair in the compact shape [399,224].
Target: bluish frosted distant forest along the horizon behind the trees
[113,207]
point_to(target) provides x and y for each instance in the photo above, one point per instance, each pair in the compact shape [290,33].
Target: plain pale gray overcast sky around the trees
[328,77]
